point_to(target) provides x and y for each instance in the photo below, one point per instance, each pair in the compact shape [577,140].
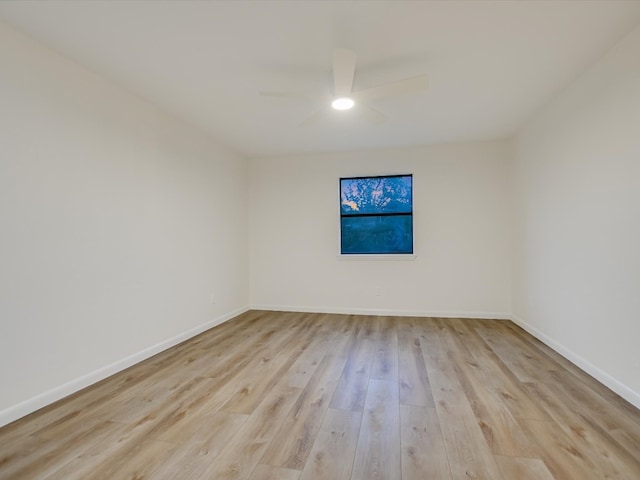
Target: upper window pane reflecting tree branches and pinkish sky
[375,195]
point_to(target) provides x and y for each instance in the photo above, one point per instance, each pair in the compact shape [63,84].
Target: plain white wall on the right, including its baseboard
[578,222]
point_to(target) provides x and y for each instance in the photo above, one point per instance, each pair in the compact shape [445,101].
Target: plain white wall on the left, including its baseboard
[117,224]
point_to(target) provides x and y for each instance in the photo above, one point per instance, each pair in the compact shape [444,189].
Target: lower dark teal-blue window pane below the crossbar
[377,234]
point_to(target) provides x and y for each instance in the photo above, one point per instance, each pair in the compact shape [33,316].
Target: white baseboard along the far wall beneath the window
[379,311]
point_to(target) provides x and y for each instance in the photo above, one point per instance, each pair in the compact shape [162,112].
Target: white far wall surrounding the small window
[462,234]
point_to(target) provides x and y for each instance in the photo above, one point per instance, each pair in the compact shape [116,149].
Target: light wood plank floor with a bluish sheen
[290,396]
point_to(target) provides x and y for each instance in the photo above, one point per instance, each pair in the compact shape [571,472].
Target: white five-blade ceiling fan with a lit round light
[345,98]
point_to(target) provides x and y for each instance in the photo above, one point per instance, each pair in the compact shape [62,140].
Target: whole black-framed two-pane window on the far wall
[376,215]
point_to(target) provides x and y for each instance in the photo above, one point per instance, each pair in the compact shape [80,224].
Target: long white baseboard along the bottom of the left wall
[46,398]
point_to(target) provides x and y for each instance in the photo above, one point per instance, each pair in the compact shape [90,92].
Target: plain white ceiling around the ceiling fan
[490,64]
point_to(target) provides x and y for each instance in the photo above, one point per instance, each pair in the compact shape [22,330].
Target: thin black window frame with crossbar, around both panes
[380,255]
